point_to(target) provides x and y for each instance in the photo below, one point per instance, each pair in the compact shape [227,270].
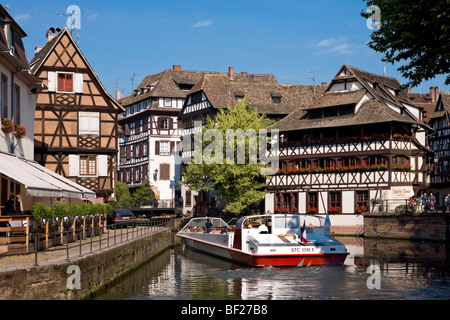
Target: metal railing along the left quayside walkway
[79,242]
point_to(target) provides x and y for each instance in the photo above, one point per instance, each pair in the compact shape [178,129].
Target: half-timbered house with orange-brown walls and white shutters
[76,120]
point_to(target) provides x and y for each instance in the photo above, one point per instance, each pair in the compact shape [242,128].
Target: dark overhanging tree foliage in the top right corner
[415,33]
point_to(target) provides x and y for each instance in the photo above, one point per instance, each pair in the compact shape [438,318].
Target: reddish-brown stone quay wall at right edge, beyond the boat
[427,227]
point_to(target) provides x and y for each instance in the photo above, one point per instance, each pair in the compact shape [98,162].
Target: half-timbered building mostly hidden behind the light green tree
[220,90]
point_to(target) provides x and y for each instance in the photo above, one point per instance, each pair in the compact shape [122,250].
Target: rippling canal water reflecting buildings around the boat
[374,270]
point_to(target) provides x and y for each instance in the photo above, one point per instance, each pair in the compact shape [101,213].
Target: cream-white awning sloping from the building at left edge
[40,181]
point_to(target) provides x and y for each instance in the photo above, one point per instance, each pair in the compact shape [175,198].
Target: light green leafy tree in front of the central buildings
[238,184]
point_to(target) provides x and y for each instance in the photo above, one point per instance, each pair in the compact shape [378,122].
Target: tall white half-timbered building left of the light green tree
[151,132]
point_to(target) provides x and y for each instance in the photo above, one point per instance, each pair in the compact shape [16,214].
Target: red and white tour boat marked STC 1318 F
[282,243]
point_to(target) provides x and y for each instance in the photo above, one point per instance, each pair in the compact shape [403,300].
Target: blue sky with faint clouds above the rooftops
[290,39]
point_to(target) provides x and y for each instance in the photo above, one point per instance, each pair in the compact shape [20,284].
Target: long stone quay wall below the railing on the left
[96,271]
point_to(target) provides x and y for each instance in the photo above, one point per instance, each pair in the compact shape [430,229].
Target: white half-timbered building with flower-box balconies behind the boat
[362,140]
